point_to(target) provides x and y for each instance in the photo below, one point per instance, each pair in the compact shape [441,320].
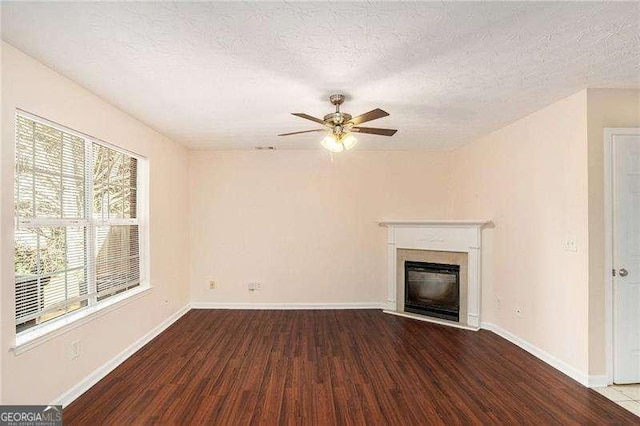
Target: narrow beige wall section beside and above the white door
[605,108]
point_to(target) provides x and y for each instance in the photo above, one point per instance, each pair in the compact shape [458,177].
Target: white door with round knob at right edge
[626,257]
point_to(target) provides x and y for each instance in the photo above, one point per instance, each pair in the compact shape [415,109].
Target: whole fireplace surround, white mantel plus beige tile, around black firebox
[451,237]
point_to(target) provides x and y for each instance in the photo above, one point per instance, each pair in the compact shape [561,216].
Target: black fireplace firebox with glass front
[432,289]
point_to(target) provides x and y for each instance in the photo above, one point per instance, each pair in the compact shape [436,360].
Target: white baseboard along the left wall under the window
[69,396]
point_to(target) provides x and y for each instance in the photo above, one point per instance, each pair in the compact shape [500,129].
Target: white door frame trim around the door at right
[609,301]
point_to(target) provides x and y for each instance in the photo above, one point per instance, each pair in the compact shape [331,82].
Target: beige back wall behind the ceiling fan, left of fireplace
[303,226]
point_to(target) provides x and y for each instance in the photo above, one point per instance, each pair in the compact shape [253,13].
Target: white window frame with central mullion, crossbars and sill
[40,333]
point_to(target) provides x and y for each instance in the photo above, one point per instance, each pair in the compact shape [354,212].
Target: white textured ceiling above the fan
[227,75]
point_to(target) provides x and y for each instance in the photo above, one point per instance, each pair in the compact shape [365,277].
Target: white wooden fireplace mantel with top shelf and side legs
[440,235]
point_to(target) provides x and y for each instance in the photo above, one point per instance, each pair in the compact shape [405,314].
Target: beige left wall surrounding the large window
[43,373]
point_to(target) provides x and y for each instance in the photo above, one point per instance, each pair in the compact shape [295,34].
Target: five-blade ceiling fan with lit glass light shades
[342,126]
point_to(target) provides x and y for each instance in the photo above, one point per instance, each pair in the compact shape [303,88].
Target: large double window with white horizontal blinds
[77,232]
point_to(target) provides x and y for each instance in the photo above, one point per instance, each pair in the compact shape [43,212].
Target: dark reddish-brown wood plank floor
[334,367]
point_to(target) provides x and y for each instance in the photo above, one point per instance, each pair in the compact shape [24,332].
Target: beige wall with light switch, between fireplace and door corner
[530,179]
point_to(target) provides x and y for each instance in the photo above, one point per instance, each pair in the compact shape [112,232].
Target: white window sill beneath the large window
[30,339]
